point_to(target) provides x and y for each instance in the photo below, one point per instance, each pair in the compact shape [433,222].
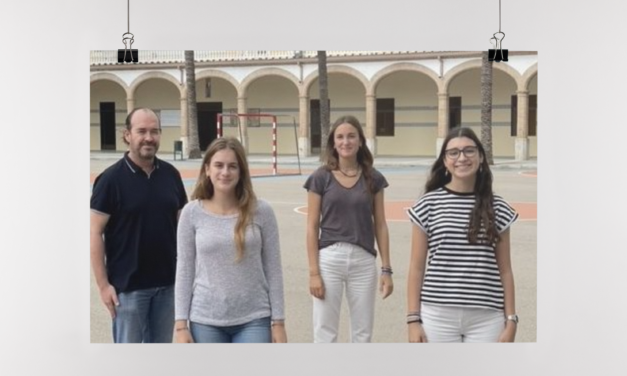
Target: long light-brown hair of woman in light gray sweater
[247,201]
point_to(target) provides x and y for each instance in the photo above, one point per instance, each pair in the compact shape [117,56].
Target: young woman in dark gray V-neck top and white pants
[345,216]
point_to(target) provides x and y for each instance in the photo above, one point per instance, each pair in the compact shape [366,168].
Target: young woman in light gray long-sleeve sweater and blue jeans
[229,282]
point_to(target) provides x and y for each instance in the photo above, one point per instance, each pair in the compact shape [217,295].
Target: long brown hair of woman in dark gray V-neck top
[364,157]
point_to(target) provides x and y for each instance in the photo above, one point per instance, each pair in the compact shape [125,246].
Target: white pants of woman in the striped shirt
[461,324]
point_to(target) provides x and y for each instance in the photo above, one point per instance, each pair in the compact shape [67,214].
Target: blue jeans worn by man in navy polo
[145,316]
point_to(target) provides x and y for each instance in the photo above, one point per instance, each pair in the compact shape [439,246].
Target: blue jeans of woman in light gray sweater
[256,331]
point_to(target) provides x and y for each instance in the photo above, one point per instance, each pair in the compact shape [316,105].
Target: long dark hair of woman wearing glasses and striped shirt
[482,214]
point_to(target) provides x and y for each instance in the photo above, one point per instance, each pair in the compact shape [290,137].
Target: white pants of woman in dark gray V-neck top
[345,266]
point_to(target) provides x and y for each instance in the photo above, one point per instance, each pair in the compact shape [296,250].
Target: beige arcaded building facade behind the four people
[406,100]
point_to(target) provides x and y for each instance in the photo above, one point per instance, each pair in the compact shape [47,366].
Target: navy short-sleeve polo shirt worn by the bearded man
[140,236]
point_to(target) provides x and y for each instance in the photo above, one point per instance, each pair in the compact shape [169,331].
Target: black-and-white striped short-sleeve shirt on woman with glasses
[459,273]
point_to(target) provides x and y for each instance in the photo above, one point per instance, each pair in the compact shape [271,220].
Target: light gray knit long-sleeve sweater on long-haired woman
[211,287]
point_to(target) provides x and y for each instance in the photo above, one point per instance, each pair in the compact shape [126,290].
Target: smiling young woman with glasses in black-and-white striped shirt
[460,282]
